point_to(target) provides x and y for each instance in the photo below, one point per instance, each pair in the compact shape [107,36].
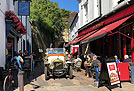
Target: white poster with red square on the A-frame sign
[113,73]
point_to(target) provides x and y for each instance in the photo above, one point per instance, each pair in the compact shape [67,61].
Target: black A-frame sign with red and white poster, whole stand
[109,73]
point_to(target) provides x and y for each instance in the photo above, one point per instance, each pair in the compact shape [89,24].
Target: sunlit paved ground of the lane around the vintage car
[78,83]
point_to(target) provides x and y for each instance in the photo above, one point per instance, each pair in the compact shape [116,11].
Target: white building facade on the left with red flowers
[12,37]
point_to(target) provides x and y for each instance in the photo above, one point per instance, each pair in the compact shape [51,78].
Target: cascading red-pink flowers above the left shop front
[10,15]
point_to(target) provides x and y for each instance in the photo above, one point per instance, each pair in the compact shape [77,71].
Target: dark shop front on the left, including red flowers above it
[14,31]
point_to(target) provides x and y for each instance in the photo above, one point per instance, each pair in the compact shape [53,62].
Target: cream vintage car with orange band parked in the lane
[56,64]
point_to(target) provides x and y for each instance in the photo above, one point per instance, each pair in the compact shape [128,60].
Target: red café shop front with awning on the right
[113,35]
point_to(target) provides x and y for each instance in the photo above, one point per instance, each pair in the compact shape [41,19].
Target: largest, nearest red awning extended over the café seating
[107,28]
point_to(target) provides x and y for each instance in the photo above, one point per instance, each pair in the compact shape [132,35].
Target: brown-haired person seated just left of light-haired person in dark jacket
[88,65]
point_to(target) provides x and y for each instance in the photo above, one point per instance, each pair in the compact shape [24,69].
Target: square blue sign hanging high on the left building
[24,8]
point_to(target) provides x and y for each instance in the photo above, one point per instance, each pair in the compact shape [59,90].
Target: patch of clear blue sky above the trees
[72,5]
